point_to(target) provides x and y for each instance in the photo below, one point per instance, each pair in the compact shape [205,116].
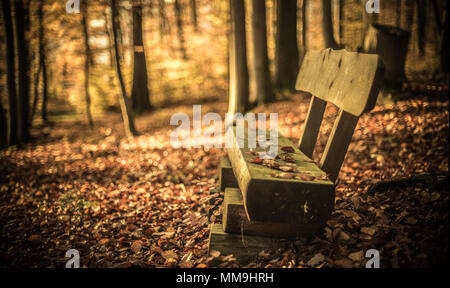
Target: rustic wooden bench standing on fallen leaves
[271,203]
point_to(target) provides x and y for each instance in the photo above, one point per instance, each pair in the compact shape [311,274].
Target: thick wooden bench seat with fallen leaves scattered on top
[271,199]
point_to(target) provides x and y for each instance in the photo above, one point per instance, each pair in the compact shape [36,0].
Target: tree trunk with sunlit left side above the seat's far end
[239,90]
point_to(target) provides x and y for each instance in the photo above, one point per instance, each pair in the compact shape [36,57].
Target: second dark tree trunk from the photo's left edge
[22,27]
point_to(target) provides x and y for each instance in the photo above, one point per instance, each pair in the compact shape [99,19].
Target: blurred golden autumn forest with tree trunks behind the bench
[65,64]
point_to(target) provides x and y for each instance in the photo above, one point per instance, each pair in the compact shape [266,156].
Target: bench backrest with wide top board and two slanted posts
[349,80]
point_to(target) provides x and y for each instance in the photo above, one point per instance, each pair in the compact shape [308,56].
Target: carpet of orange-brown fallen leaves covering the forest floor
[141,203]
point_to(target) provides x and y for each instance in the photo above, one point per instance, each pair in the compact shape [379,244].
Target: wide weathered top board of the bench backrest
[349,80]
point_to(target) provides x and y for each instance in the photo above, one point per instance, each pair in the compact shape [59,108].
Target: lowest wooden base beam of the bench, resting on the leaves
[244,248]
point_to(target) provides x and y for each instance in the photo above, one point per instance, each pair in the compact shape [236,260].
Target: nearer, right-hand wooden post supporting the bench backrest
[337,144]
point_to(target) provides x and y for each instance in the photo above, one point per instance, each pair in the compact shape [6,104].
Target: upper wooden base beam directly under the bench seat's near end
[235,220]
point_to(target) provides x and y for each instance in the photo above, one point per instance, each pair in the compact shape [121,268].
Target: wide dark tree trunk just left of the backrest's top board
[286,51]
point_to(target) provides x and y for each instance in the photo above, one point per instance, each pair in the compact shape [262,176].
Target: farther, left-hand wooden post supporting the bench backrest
[312,126]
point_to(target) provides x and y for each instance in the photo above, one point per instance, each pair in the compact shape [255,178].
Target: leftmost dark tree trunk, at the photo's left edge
[11,74]
